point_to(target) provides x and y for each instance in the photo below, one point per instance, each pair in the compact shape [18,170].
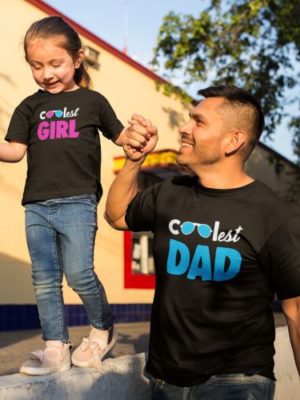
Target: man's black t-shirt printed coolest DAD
[220,257]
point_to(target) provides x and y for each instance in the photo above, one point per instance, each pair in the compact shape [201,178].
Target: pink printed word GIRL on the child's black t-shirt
[57,130]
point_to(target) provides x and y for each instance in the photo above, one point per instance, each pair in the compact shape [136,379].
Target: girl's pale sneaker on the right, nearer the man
[90,353]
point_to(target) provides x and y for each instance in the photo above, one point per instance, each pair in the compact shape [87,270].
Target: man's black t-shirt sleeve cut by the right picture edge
[281,257]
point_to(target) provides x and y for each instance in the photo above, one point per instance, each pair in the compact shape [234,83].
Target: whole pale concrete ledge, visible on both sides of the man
[122,378]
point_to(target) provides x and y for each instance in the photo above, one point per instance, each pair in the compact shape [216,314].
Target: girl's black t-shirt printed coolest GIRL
[61,131]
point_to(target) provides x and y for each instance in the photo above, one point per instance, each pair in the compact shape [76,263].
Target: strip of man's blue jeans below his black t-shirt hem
[218,387]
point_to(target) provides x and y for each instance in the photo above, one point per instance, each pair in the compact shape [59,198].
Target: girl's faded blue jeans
[61,236]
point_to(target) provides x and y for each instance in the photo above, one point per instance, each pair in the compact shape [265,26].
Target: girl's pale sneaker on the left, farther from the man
[55,357]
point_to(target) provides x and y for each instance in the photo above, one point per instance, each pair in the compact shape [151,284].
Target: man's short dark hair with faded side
[239,97]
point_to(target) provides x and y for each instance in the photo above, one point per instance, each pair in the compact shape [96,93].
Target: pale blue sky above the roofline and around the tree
[135,24]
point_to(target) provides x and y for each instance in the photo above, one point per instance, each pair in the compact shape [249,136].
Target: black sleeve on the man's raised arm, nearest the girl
[141,212]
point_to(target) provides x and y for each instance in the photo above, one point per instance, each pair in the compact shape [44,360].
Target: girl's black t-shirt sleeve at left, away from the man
[19,126]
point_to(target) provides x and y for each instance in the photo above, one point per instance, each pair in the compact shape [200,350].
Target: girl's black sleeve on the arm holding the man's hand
[110,125]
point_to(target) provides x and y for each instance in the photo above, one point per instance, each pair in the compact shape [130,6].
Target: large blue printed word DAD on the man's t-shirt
[225,266]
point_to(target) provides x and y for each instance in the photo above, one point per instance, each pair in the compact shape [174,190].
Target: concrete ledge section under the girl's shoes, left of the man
[122,378]
